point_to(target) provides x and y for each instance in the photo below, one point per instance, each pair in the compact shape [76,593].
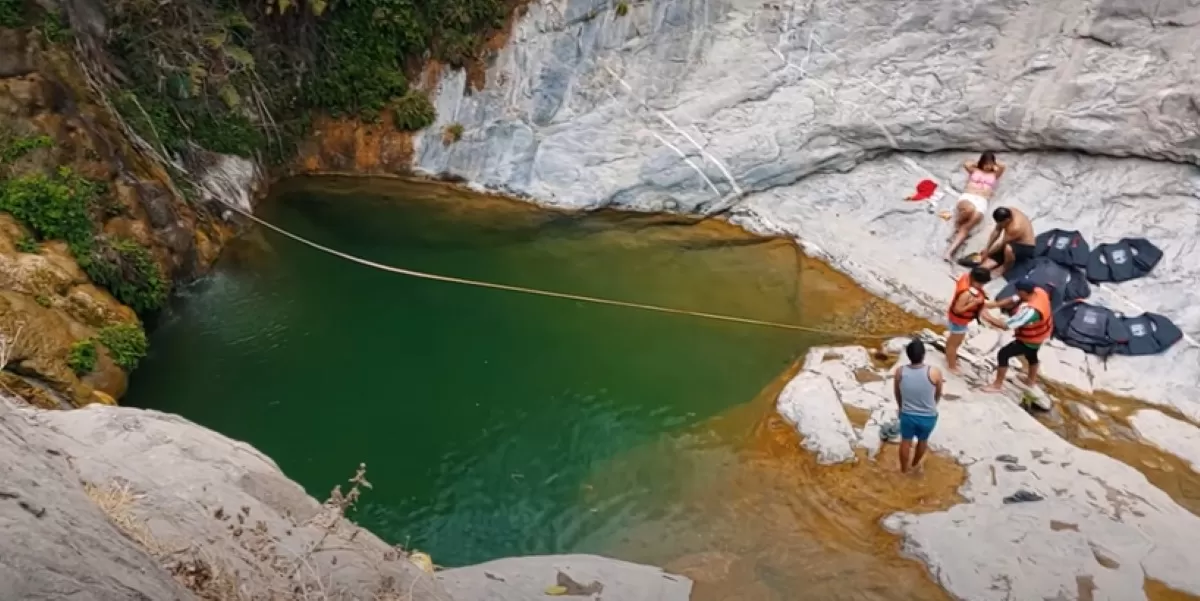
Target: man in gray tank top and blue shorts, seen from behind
[919,388]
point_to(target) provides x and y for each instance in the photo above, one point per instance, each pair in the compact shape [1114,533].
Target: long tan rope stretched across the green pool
[554,295]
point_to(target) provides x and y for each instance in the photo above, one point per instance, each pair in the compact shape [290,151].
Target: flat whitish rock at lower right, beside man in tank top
[1099,533]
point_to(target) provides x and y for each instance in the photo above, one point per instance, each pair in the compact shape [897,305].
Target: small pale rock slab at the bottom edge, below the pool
[526,579]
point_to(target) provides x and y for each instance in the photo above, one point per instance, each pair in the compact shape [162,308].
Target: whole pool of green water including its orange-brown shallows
[495,424]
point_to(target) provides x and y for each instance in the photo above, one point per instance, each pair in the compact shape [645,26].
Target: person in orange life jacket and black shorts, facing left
[1031,323]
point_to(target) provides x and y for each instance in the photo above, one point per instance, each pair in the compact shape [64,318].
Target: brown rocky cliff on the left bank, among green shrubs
[47,302]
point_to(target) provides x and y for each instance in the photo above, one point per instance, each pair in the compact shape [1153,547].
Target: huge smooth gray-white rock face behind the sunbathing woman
[817,118]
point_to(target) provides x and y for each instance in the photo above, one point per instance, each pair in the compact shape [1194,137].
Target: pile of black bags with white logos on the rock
[1064,265]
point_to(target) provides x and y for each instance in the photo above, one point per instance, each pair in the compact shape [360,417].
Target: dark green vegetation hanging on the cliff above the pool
[245,77]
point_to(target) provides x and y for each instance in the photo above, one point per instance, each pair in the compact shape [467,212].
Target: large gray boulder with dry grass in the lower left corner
[107,503]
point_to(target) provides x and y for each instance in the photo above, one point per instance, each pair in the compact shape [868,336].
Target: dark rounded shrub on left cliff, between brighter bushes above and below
[129,272]
